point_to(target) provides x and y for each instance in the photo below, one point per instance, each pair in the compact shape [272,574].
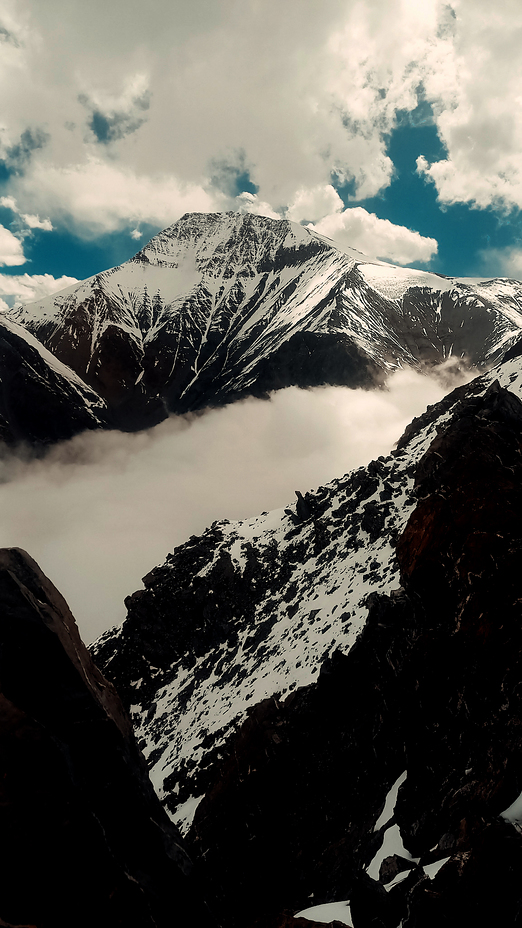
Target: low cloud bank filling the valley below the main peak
[103,509]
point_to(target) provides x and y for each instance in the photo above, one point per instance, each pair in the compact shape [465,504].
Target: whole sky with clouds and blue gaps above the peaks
[394,126]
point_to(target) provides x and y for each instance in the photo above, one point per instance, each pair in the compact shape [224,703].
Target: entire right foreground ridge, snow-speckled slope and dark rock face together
[328,695]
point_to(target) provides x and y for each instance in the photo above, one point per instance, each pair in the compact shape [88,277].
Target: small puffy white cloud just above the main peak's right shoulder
[377,238]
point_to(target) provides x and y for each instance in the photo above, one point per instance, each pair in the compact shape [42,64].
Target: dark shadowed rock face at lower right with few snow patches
[429,698]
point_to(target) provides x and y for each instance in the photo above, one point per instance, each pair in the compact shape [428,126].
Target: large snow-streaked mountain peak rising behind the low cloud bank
[220,306]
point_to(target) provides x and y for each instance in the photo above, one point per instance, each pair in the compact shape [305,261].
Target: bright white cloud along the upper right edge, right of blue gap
[476,95]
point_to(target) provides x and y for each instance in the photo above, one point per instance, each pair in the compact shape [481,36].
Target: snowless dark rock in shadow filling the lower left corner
[84,841]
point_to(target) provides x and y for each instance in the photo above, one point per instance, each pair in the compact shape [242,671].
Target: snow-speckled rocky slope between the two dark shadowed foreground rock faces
[253,608]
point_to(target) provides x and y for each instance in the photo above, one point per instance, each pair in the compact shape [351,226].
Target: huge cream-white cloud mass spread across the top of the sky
[114,112]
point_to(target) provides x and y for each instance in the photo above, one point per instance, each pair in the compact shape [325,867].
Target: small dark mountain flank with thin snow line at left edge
[41,399]
